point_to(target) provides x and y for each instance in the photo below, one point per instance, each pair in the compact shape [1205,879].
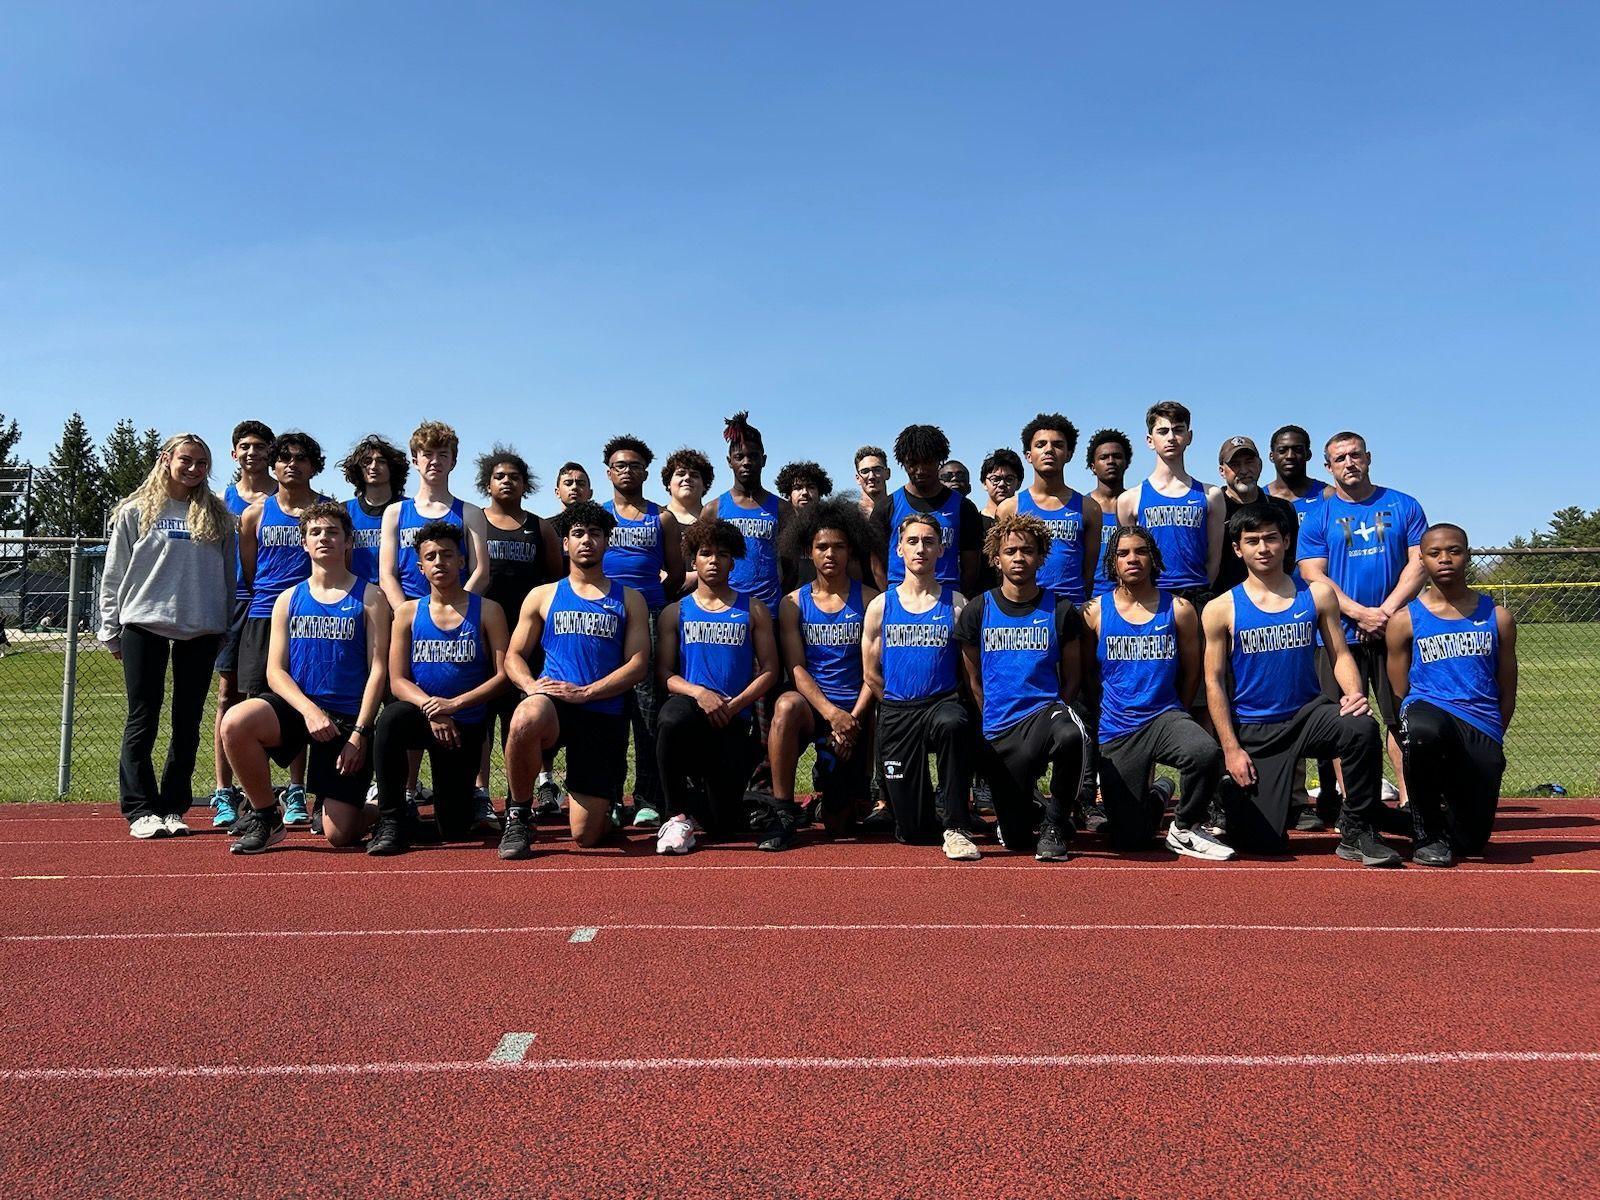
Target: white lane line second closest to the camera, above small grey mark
[586,934]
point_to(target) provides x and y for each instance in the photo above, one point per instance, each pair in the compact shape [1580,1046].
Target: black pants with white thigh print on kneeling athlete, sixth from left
[908,734]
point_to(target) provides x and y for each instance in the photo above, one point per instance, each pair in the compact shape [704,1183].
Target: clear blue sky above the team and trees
[554,223]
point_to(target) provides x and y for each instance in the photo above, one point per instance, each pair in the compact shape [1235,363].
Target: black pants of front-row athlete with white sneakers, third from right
[1134,809]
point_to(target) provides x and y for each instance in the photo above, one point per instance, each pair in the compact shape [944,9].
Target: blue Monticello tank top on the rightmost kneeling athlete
[1455,665]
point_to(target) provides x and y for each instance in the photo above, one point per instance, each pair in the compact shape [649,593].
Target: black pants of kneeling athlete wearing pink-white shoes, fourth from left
[692,751]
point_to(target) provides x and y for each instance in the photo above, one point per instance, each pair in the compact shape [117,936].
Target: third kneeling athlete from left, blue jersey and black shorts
[594,639]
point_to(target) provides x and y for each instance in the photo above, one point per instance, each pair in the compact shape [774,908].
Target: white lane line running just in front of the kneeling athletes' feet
[1177,870]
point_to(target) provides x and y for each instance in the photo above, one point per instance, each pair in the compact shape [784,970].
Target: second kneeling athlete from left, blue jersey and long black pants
[447,660]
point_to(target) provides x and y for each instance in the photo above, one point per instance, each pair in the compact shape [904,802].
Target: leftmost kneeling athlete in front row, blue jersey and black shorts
[327,662]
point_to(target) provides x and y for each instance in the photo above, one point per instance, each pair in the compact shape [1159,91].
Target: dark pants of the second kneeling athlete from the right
[1258,817]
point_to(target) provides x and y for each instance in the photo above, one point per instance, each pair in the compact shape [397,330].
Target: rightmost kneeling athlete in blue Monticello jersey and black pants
[1454,668]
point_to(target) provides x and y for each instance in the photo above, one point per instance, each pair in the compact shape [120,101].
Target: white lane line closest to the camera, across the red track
[1442,1058]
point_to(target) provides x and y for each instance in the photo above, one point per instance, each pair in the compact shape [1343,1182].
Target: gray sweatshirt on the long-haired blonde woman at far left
[166,582]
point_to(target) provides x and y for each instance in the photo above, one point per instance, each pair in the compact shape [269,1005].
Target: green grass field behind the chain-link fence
[1556,737]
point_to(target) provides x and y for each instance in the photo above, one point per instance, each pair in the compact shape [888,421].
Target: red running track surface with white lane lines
[852,1018]
